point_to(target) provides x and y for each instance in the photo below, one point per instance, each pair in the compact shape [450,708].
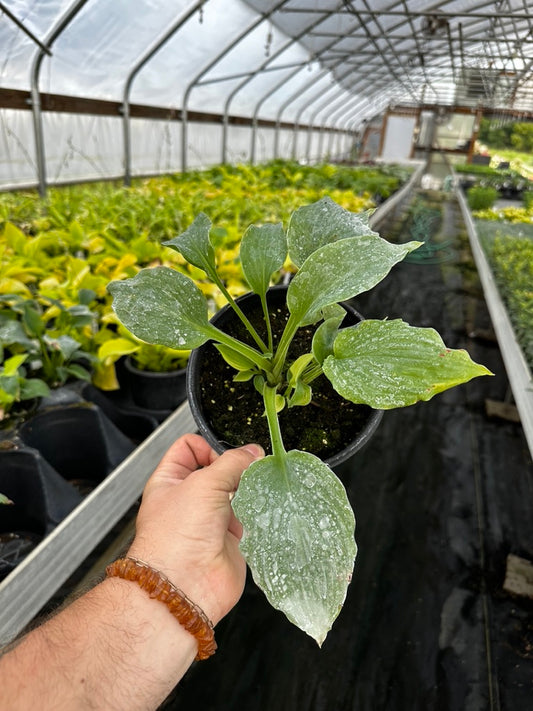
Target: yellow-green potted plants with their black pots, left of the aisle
[62,356]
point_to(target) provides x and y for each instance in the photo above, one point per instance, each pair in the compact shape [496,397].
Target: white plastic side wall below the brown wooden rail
[83,148]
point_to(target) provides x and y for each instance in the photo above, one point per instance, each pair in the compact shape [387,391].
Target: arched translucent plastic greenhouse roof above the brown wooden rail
[302,60]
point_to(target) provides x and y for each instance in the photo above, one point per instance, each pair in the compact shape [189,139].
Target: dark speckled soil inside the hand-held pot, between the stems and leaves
[236,412]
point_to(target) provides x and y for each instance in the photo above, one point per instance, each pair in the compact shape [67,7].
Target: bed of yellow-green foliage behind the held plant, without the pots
[60,253]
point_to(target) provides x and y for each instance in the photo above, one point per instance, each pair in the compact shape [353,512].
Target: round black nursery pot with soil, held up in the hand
[230,414]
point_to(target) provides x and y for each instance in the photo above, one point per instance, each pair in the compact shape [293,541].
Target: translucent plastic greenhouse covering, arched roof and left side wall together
[329,63]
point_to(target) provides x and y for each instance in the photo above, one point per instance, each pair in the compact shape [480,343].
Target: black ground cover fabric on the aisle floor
[442,495]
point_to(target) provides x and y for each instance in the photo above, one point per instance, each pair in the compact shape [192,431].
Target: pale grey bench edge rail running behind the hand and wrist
[34,581]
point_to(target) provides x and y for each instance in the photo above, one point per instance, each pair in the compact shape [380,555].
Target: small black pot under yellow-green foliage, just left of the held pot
[158,392]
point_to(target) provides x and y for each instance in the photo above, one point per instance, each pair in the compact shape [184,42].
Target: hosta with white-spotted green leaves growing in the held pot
[298,524]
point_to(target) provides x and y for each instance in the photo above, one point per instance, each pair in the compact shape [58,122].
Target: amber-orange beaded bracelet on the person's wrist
[158,586]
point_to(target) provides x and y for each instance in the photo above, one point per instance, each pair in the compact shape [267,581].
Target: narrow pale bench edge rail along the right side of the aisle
[518,372]
